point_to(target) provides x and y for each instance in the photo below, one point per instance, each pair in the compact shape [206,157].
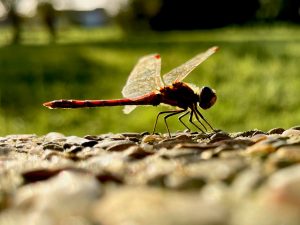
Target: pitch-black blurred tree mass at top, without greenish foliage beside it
[194,14]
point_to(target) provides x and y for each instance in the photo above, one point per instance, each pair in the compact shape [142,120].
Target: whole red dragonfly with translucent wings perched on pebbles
[146,86]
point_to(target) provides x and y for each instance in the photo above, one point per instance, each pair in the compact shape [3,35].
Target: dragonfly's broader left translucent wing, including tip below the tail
[144,78]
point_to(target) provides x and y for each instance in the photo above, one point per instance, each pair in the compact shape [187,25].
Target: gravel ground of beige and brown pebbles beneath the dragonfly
[244,178]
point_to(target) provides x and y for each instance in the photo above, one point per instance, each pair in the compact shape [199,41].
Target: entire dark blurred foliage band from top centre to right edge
[194,14]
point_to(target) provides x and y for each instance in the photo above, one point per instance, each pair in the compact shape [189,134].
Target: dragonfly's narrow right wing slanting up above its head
[179,73]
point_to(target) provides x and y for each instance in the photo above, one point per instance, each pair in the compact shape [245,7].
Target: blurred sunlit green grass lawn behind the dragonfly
[256,75]
